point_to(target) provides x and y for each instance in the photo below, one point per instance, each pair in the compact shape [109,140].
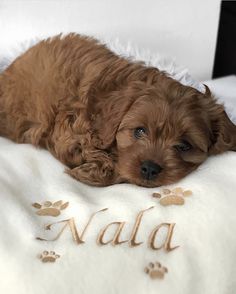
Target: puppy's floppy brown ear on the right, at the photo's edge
[223,130]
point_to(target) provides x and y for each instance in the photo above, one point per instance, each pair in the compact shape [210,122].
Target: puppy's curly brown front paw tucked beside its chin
[98,170]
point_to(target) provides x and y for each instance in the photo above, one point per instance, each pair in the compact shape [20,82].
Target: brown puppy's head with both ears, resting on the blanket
[162,133]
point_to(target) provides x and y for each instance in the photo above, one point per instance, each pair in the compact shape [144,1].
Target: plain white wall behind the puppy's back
[185,29]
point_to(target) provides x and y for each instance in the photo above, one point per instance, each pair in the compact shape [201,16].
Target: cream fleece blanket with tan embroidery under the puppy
[88,257]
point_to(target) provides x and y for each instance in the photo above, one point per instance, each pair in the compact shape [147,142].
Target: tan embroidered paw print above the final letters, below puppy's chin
[172,197]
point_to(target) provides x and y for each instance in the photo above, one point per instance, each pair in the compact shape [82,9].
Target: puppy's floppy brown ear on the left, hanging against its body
[110,111]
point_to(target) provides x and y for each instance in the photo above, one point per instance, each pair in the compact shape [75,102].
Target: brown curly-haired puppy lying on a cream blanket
[108,119]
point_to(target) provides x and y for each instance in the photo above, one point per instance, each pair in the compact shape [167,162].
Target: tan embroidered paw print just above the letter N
[50,209]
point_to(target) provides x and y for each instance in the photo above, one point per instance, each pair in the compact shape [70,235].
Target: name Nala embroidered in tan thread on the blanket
[79,237]
